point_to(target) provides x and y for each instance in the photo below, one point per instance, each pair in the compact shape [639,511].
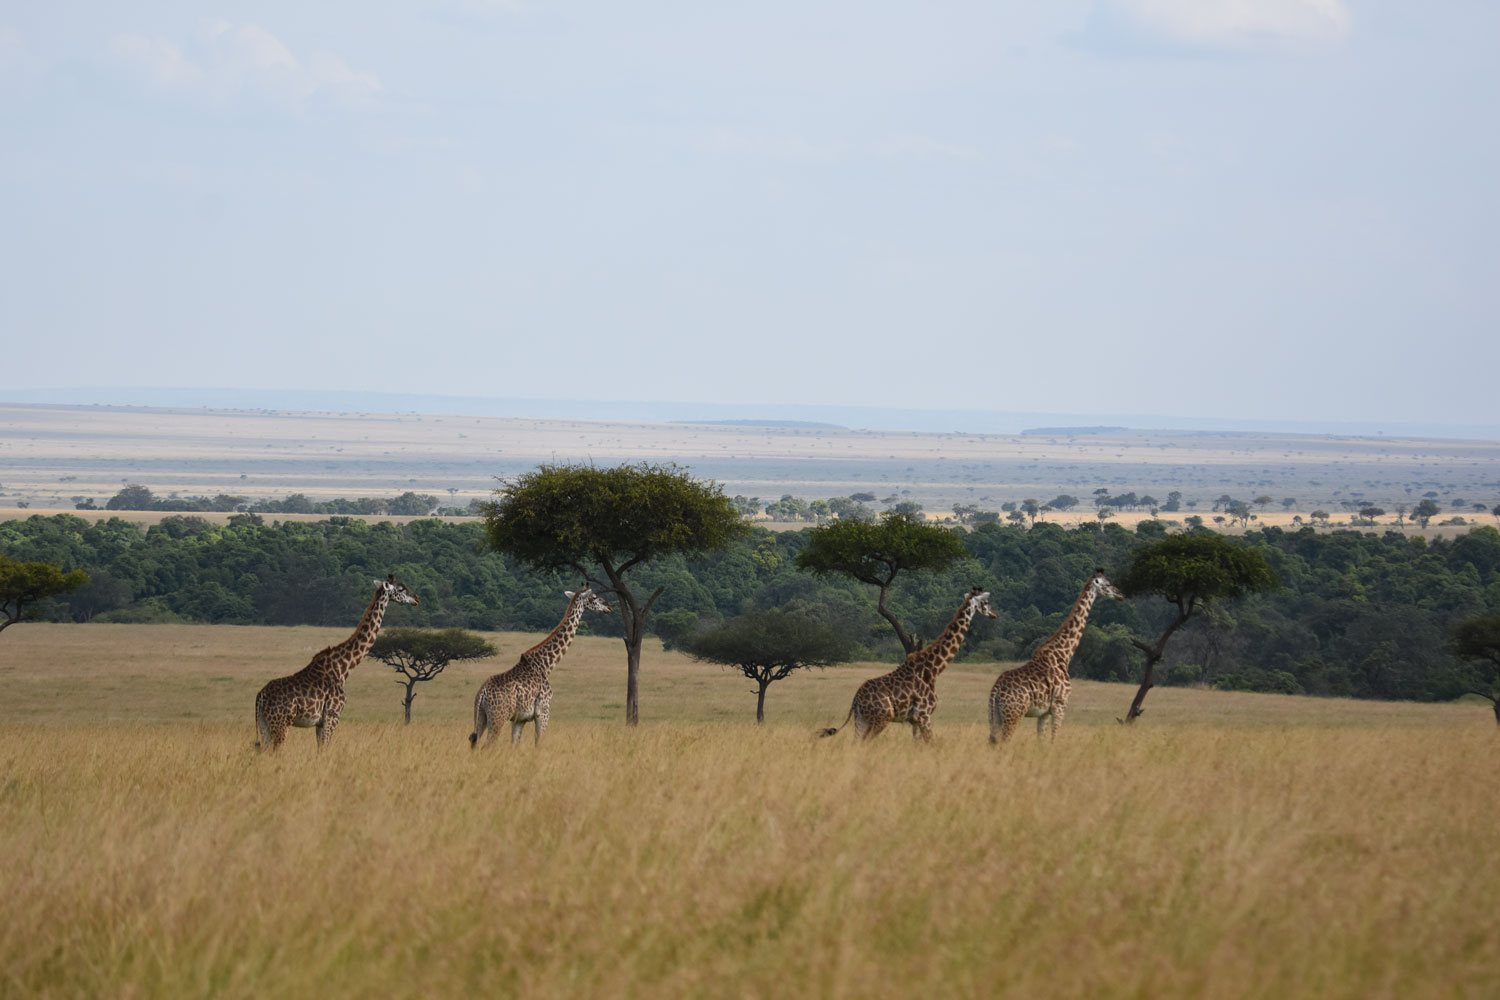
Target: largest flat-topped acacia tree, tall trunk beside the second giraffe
[608,522]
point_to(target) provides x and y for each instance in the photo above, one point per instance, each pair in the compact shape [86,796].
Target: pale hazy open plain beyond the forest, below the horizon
[49,455]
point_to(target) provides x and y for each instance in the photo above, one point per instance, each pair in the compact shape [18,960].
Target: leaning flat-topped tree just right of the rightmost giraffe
[1189,572]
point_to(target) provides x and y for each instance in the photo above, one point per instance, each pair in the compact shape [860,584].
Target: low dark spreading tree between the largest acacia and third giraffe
[769,647]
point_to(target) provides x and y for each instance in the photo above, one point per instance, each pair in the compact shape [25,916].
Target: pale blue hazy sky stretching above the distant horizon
[1237,209]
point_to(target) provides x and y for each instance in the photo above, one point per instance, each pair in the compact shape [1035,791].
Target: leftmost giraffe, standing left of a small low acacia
[314,696]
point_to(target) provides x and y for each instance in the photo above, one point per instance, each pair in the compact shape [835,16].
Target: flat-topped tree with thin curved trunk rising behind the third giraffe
[878,552]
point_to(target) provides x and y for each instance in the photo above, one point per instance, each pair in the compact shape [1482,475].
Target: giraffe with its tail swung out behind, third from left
[910,693]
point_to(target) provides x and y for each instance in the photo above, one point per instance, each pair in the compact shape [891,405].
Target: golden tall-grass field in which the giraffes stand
[1226,846]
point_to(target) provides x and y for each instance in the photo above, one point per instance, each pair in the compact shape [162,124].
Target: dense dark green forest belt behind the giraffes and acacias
[1358,614]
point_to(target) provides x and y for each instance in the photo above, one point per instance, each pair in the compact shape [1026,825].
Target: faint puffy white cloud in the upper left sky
[245,59]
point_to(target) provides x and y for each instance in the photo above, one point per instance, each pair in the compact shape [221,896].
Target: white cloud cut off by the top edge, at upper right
[1243,23]
